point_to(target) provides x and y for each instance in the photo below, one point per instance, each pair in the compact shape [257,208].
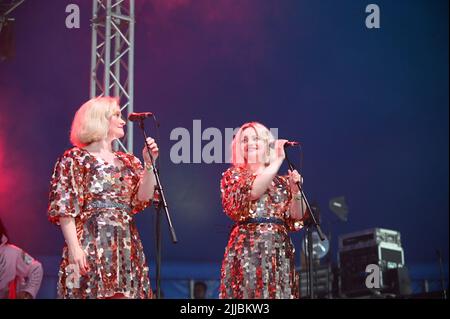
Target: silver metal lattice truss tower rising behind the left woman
[112,57]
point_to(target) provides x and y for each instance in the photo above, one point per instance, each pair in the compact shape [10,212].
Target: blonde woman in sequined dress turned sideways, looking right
[94,194]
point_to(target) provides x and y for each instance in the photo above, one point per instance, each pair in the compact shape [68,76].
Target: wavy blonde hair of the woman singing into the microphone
[237,156]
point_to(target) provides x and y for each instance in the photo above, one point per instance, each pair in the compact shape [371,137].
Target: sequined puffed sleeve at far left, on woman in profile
[66,189]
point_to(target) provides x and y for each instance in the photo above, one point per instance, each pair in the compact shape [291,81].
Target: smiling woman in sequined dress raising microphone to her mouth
[259,258]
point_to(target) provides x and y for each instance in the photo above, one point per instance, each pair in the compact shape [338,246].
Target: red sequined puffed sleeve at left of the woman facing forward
[235,187]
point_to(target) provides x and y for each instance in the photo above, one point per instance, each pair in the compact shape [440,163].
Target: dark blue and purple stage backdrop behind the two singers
[370,107]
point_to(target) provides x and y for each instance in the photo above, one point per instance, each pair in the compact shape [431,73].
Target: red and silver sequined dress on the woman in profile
[103,199]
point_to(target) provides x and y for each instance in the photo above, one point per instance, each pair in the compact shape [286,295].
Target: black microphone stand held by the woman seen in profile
[162,203]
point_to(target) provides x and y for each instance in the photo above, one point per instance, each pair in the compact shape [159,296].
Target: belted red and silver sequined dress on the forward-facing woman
[259,258]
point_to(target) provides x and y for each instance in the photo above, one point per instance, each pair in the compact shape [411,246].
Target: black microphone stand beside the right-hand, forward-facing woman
[310,223]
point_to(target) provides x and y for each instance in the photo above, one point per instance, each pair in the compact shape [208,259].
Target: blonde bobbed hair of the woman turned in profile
[91,121]
